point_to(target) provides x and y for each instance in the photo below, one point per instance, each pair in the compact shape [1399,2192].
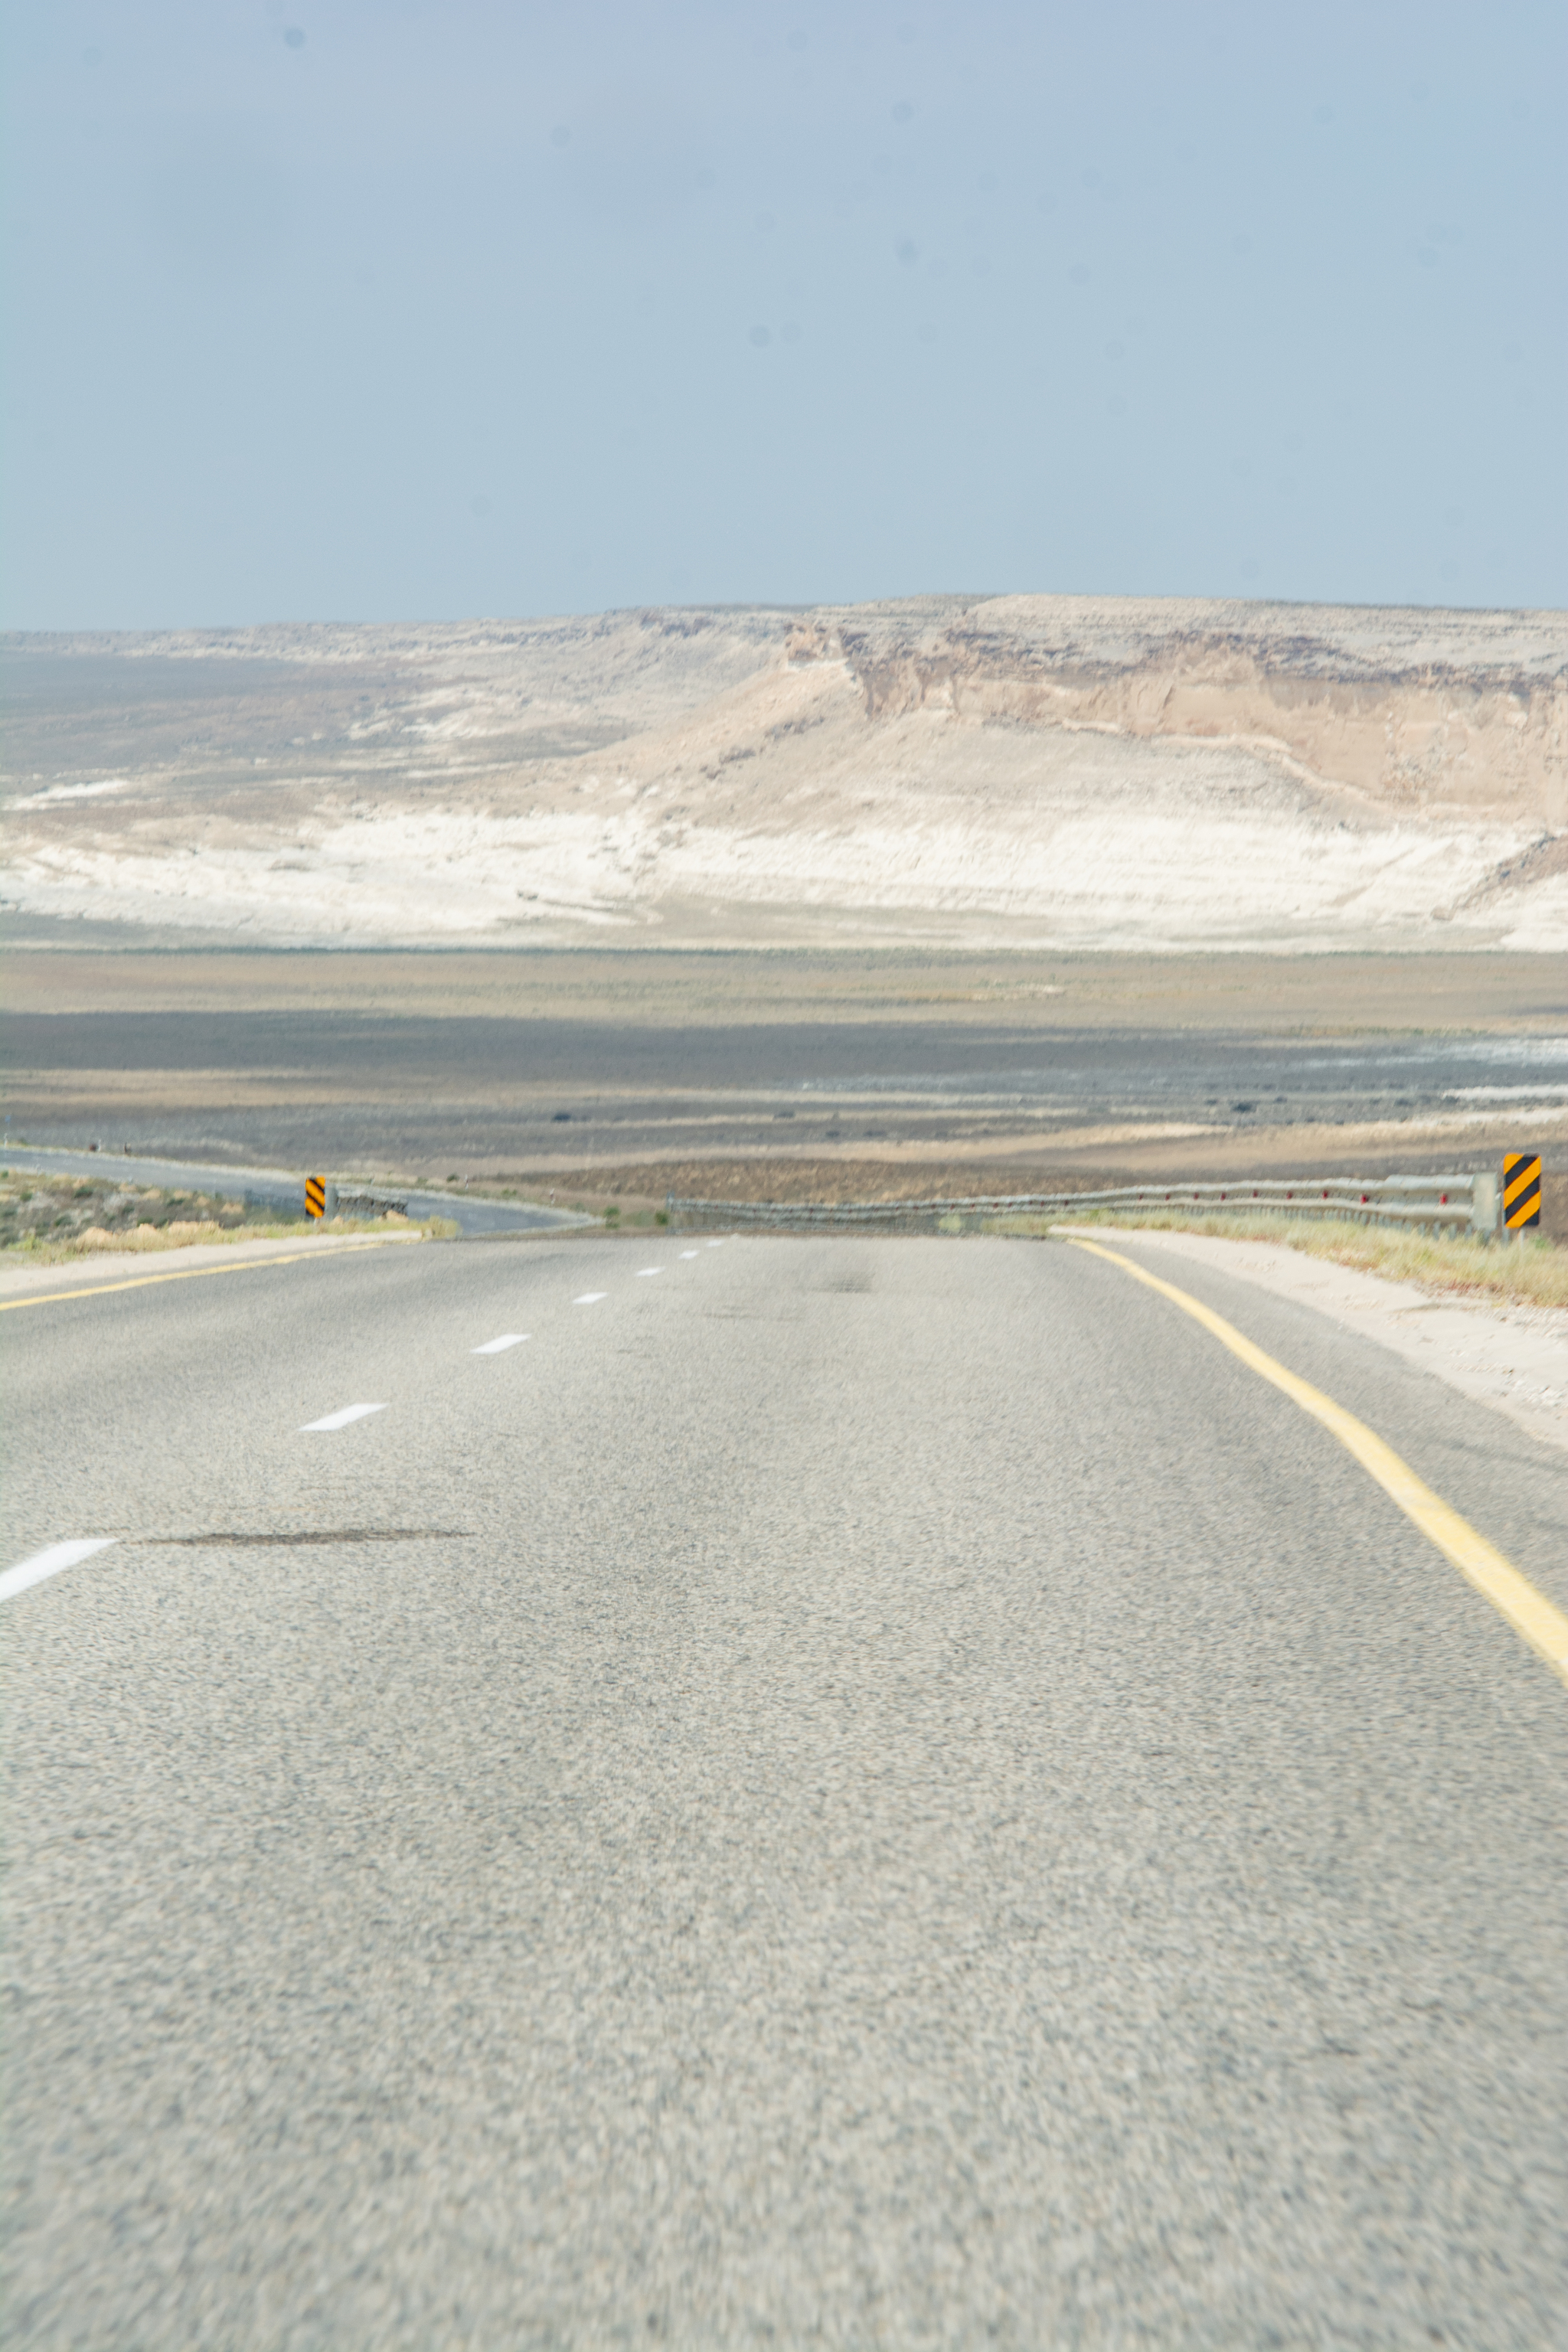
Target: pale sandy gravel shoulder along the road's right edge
[1503,1356]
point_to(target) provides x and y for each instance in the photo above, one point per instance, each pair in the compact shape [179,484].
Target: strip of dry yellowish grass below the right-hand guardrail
[1522,1274]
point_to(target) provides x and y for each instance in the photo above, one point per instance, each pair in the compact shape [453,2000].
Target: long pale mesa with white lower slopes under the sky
[1014,773]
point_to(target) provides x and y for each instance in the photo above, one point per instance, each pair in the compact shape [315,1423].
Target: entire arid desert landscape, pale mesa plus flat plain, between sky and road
[862,900]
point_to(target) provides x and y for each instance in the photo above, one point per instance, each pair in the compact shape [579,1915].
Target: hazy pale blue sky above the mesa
[415,312]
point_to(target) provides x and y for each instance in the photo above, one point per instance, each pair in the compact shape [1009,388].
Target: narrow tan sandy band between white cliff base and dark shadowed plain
[65,968]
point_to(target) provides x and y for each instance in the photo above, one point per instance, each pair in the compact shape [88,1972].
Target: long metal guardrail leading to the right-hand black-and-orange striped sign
[1428,1203]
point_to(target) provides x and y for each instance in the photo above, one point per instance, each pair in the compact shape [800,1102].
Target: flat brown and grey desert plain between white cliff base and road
[791,1074]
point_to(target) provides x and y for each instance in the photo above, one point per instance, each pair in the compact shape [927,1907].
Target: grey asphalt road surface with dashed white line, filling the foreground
[857,1793]
